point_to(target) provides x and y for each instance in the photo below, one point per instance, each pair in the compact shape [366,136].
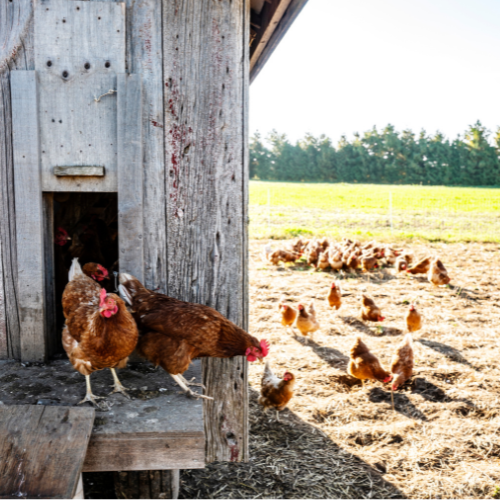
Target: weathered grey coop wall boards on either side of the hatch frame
[193,57]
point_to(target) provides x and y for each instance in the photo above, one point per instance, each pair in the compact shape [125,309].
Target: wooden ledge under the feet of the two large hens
[159,428]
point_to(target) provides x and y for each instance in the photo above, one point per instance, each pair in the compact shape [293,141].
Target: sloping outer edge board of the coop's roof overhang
[259,58]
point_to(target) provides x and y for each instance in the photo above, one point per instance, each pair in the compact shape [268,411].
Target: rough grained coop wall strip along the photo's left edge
[16,53]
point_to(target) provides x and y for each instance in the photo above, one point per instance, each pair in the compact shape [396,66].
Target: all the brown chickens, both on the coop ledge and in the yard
[102,329]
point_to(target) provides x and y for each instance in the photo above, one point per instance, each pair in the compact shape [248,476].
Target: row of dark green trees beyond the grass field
[386,157]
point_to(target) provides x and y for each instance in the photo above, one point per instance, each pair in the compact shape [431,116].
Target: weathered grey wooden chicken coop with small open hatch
[125,141]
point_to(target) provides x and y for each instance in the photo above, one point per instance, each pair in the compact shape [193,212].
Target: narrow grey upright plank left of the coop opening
[29,215]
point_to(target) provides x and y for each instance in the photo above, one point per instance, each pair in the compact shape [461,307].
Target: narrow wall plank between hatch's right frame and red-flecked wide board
[144,56]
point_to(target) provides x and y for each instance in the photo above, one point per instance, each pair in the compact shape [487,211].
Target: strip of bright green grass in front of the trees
[284,209]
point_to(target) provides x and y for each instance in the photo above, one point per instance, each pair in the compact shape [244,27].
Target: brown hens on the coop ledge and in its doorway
[102,329]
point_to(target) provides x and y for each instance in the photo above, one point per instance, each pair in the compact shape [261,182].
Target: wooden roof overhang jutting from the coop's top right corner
[264,46]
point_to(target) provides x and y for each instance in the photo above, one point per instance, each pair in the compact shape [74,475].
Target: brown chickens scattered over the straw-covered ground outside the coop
[349,256]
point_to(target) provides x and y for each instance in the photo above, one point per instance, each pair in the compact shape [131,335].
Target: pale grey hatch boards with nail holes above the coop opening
[79,48]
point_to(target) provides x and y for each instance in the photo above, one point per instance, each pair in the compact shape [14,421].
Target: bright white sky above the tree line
[348,65]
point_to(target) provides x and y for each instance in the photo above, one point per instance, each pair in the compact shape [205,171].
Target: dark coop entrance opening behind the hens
[86,227]
